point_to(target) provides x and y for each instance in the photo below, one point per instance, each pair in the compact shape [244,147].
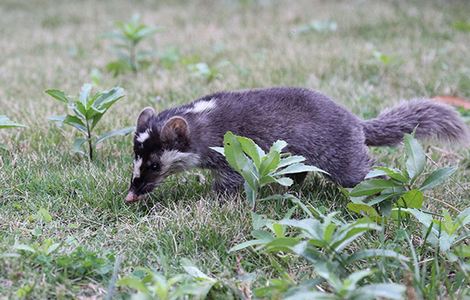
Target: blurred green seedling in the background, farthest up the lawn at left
[127,37]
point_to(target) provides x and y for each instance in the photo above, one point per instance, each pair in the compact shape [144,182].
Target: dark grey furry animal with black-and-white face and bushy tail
[326,134]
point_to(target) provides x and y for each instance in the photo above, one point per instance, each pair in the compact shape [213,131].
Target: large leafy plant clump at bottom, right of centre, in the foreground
[323,241]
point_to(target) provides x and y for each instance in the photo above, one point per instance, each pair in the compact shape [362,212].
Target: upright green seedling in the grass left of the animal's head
[85,113]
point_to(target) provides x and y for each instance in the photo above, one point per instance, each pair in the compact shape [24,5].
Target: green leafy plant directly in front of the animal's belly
[259,168]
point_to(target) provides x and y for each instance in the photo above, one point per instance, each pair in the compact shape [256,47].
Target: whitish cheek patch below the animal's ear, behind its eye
[174,161]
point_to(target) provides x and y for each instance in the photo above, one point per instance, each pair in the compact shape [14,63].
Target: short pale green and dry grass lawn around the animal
[56,44]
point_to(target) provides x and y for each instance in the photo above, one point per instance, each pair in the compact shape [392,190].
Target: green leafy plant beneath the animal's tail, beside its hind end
[397,188]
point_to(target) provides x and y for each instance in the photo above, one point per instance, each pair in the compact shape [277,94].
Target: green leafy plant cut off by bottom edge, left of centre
[154,285]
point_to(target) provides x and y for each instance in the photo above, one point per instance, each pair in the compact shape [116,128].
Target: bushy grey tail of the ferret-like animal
[430,119]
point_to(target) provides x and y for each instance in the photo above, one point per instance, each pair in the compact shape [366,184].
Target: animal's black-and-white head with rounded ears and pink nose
[161,148]
